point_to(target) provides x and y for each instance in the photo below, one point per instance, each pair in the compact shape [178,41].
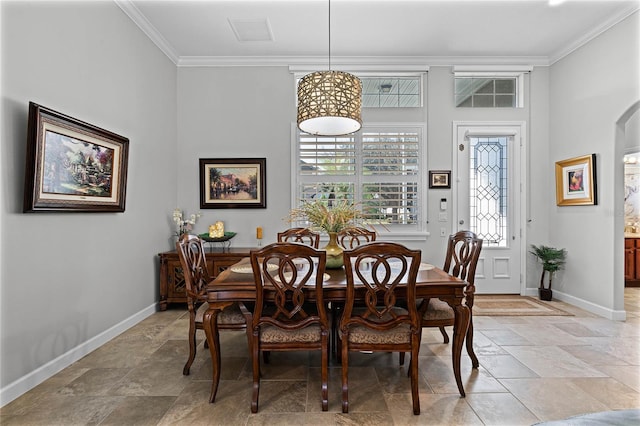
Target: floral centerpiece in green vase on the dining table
[338,216]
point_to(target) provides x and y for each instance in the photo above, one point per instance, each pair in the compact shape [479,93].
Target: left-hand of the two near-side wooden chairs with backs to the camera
[282,320]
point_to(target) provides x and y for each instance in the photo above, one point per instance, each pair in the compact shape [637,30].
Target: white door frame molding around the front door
[500,128]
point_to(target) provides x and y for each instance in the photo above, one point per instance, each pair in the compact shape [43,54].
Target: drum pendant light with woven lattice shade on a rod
[329,102]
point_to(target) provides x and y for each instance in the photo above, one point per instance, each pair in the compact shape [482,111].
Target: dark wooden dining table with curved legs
[230,287]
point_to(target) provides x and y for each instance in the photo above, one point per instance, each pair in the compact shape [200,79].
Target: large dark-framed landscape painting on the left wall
[72,165]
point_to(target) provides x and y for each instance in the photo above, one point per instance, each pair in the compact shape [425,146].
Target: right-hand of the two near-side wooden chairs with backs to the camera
[385,274]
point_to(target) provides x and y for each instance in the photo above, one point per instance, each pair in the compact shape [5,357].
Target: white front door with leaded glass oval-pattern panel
[488,196]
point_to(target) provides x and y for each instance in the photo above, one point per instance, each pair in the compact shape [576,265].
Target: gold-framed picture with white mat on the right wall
[576,181]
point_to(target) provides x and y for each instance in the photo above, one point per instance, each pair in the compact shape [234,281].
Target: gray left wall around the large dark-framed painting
[70,281]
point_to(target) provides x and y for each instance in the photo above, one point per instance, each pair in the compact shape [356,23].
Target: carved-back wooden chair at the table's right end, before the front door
[461,260]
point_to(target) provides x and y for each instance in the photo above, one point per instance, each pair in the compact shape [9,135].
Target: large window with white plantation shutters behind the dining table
[377,168]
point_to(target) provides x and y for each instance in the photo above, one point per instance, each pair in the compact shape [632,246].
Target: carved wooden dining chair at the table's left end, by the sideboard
[191,252]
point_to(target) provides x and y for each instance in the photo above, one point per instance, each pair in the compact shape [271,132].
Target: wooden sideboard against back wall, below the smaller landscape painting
[172,287]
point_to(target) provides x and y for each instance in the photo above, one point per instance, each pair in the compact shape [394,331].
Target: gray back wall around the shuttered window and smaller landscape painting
[250,111]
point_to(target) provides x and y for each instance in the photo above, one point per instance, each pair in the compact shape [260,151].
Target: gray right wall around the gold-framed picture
[589,91]
